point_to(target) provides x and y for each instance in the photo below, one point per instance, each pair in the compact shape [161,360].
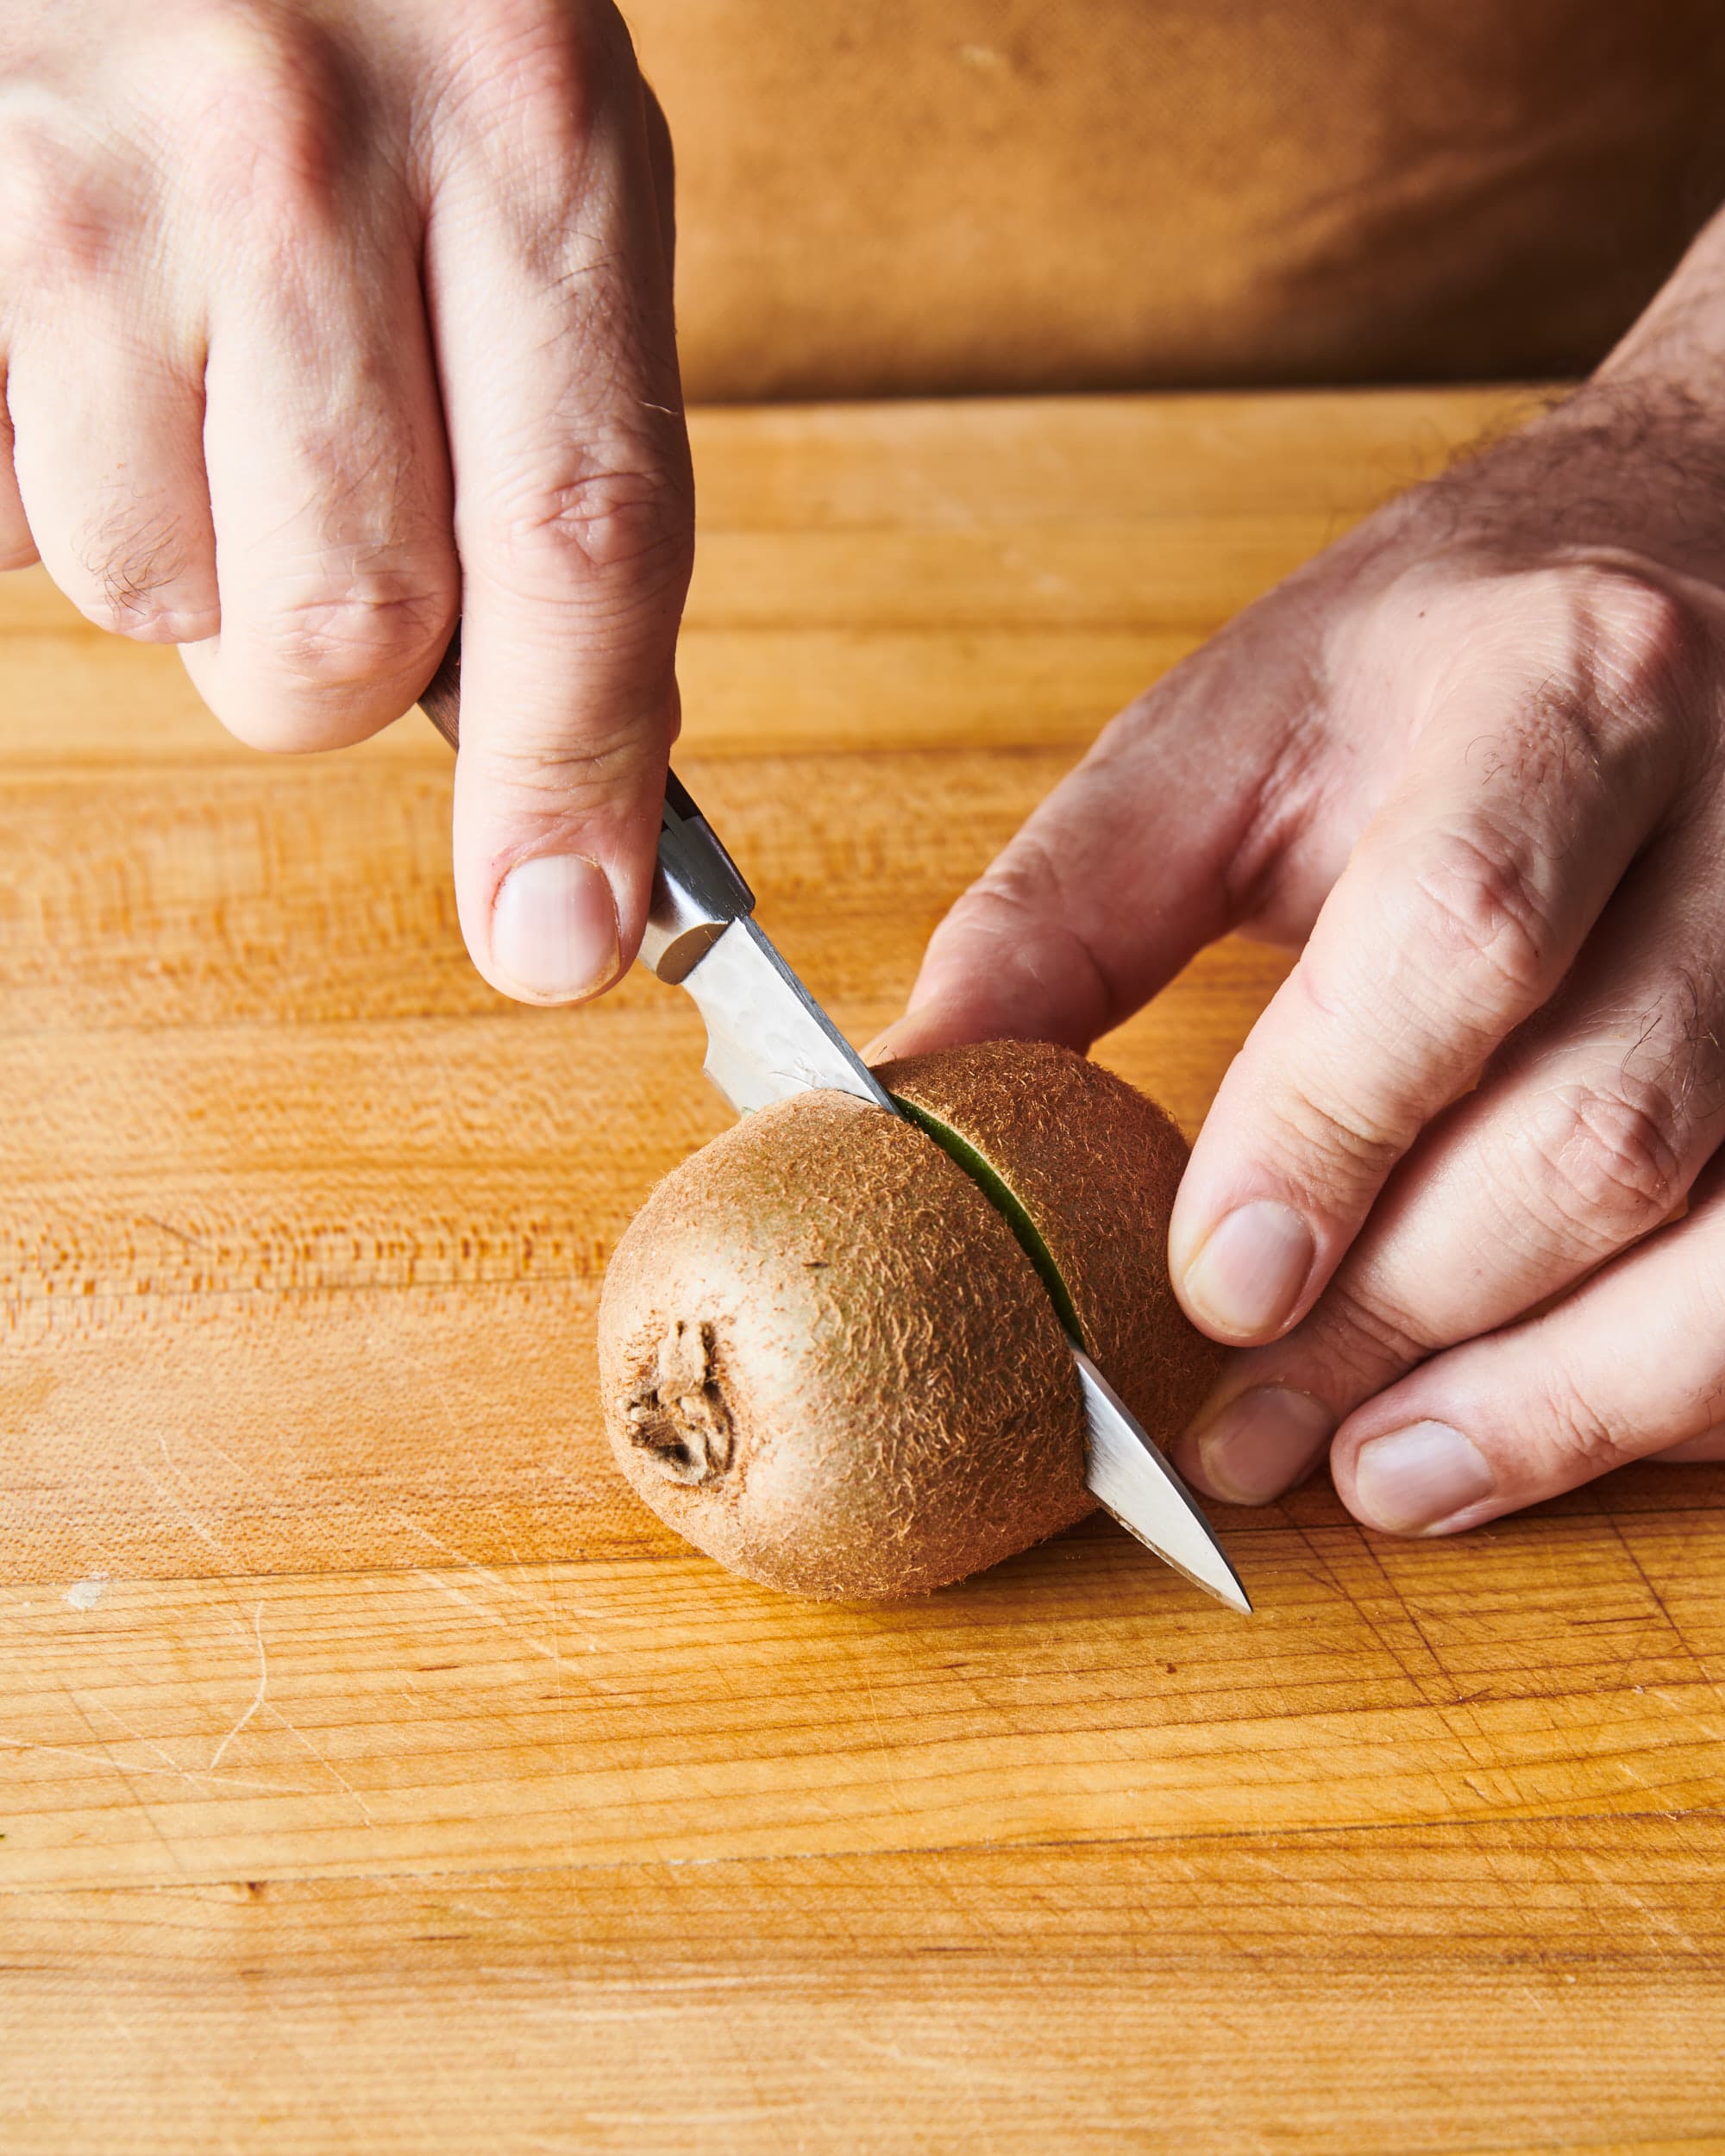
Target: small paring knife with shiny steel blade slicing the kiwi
[769,1038]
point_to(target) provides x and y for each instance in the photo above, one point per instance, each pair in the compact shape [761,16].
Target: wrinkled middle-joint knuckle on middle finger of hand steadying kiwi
[1610,1159]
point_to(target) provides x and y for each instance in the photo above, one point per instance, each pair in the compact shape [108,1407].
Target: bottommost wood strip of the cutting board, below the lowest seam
[1424,1991]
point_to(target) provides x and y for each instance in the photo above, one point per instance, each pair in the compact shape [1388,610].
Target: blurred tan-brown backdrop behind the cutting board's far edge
[993,195]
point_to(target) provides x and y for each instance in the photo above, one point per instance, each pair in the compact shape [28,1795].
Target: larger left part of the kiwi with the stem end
[829,1364]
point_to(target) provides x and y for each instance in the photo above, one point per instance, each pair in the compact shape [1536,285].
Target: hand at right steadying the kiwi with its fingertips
[1474,762]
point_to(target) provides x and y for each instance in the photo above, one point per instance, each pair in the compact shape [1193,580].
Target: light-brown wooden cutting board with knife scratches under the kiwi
[374,1773]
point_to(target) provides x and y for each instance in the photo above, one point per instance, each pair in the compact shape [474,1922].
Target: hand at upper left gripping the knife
[320,324]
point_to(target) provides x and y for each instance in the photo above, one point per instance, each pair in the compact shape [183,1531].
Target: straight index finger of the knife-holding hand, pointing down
[549,286]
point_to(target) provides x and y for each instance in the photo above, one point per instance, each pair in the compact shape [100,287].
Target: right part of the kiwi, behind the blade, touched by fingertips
[1096,1167]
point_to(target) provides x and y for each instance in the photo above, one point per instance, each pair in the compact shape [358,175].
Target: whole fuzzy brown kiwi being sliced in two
[836,1344]
